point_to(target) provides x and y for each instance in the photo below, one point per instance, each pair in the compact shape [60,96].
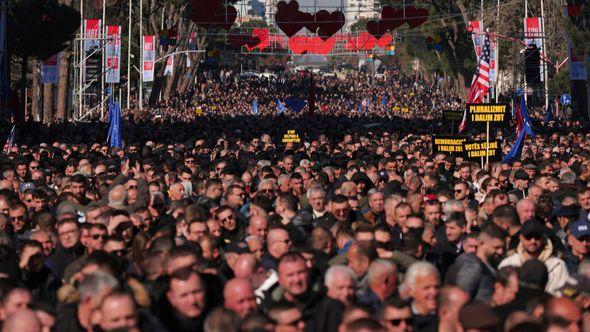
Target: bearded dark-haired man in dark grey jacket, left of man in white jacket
[474,273]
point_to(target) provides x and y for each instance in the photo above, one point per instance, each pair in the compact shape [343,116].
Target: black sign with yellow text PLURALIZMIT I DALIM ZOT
[479,115]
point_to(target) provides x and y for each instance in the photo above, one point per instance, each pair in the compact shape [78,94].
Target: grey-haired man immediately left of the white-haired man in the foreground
[382,281]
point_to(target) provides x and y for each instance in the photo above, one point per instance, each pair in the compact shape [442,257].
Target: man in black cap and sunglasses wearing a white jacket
[534,244]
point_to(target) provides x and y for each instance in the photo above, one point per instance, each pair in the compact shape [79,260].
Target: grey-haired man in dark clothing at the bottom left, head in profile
[91,293]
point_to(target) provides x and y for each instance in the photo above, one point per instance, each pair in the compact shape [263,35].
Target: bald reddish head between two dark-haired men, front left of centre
[238,296]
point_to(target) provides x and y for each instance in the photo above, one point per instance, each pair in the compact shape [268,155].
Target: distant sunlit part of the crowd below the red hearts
[346,93]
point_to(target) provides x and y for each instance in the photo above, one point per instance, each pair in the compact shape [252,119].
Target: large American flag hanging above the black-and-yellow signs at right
[481,80]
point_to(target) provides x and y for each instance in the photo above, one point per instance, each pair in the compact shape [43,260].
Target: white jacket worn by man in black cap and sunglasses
[555,266]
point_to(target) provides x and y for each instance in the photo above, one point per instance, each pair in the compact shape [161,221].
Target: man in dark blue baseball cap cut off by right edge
[578,245]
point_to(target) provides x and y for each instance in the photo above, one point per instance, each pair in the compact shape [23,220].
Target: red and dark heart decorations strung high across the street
[324,24]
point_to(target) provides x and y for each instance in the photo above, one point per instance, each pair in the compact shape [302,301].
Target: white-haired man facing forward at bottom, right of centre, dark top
[422,285]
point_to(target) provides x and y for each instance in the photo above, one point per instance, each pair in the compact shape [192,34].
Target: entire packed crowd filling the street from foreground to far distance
[212,223]
